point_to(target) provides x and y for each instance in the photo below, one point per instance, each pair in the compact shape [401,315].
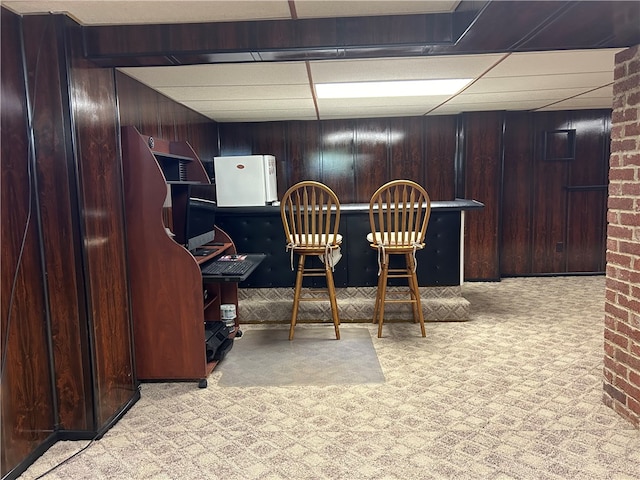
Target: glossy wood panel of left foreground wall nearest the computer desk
[99,166]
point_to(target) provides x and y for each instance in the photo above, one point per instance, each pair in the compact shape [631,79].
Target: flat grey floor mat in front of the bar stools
[266,357]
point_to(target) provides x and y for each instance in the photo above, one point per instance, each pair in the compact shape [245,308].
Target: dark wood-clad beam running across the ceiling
[524,26]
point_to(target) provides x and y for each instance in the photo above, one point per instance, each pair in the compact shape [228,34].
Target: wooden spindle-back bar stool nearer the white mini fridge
[310,214]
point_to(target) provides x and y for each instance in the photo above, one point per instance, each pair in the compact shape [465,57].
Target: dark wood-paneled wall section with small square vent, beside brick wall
[554,206]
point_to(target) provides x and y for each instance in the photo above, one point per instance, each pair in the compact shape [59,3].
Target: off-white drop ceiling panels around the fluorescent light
[272,91]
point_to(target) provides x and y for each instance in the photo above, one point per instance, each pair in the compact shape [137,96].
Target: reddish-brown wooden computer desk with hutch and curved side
[170,301]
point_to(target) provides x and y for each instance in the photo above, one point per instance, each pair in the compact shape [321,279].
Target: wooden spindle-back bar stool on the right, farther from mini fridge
[398,213]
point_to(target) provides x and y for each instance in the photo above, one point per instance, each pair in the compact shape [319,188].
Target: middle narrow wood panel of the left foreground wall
[59,213]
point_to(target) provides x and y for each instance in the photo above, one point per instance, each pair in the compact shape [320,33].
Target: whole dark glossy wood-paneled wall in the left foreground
[69,359]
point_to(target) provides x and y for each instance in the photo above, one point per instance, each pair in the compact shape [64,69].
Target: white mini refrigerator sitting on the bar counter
[245,181]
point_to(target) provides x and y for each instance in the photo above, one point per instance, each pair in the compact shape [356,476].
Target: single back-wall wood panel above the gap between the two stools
[371,166]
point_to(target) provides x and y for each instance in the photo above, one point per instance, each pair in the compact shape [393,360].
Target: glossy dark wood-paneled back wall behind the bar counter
[353,157]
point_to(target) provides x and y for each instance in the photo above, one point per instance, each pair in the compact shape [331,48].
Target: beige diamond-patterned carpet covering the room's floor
[514,393]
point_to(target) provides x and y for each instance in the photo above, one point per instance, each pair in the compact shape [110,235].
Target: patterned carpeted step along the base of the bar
[355,304]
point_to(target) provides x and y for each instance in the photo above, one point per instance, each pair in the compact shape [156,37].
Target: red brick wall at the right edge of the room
[622,303]
